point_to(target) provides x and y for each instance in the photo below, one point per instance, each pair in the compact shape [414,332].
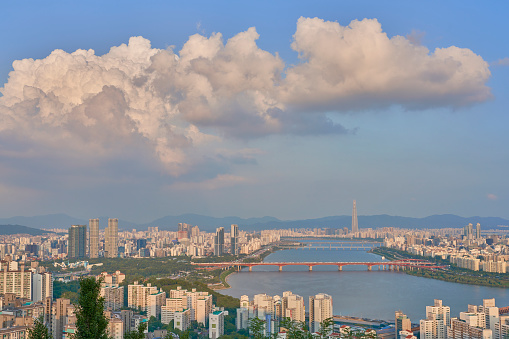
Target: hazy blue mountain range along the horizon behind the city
[252,224]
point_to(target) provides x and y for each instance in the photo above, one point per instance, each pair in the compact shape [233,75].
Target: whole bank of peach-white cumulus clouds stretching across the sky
[178,108]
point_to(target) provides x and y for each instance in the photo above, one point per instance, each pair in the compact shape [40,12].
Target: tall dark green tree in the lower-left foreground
[90,319]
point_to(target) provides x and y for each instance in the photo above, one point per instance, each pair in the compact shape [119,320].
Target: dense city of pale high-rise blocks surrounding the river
[33,266]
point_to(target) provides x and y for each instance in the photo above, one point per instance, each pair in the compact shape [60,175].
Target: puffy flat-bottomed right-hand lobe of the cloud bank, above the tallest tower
[359,66]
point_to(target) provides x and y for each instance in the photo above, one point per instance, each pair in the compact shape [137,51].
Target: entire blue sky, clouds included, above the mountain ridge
[238,124]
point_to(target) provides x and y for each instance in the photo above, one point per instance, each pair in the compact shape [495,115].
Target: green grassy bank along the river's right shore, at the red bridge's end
[453,274]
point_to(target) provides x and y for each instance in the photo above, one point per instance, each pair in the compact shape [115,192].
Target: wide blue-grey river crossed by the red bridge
[355,291]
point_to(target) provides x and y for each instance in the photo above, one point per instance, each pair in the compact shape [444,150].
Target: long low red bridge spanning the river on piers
[391,265]
